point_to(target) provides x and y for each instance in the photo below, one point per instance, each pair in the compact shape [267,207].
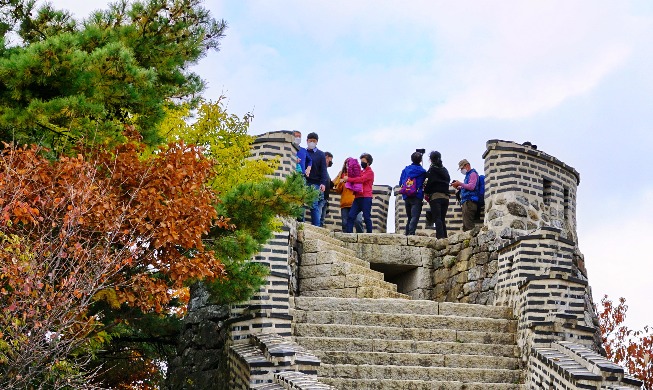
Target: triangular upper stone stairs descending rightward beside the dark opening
[328,269]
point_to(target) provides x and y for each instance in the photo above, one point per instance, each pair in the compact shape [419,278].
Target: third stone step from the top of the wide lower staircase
[391,334]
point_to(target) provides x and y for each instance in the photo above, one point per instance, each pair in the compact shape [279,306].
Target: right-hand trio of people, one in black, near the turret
[417,184]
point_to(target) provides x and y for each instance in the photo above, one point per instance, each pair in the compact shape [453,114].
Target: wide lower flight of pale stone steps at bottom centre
[400,344]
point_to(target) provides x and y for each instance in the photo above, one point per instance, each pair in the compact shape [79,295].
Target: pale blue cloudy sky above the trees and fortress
[388,77]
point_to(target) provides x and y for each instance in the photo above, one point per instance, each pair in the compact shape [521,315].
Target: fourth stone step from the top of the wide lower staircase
[447,346]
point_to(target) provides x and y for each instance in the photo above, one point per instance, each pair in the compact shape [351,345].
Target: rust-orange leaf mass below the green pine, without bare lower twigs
[143,218]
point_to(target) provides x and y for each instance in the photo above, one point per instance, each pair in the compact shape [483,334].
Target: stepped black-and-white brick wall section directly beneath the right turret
[539,279]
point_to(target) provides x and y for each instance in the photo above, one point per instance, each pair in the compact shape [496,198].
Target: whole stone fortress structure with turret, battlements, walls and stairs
[506,305]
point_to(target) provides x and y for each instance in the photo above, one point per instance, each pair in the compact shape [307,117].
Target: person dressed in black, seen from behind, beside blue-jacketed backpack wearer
[437,190]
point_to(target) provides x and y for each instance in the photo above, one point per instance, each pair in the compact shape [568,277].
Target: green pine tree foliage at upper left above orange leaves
[65,81]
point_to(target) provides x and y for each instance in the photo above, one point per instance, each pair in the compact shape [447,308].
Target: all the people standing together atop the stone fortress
[355,183]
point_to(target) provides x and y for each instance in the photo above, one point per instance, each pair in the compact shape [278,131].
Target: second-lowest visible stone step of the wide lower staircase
[366,371]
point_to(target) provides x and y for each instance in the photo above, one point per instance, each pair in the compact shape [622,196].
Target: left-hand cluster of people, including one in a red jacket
[354,183]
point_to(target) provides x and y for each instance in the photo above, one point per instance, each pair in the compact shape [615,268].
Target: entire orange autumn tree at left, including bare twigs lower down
[112,227]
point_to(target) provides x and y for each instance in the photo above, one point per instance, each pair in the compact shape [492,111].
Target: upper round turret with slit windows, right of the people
[527,189]
